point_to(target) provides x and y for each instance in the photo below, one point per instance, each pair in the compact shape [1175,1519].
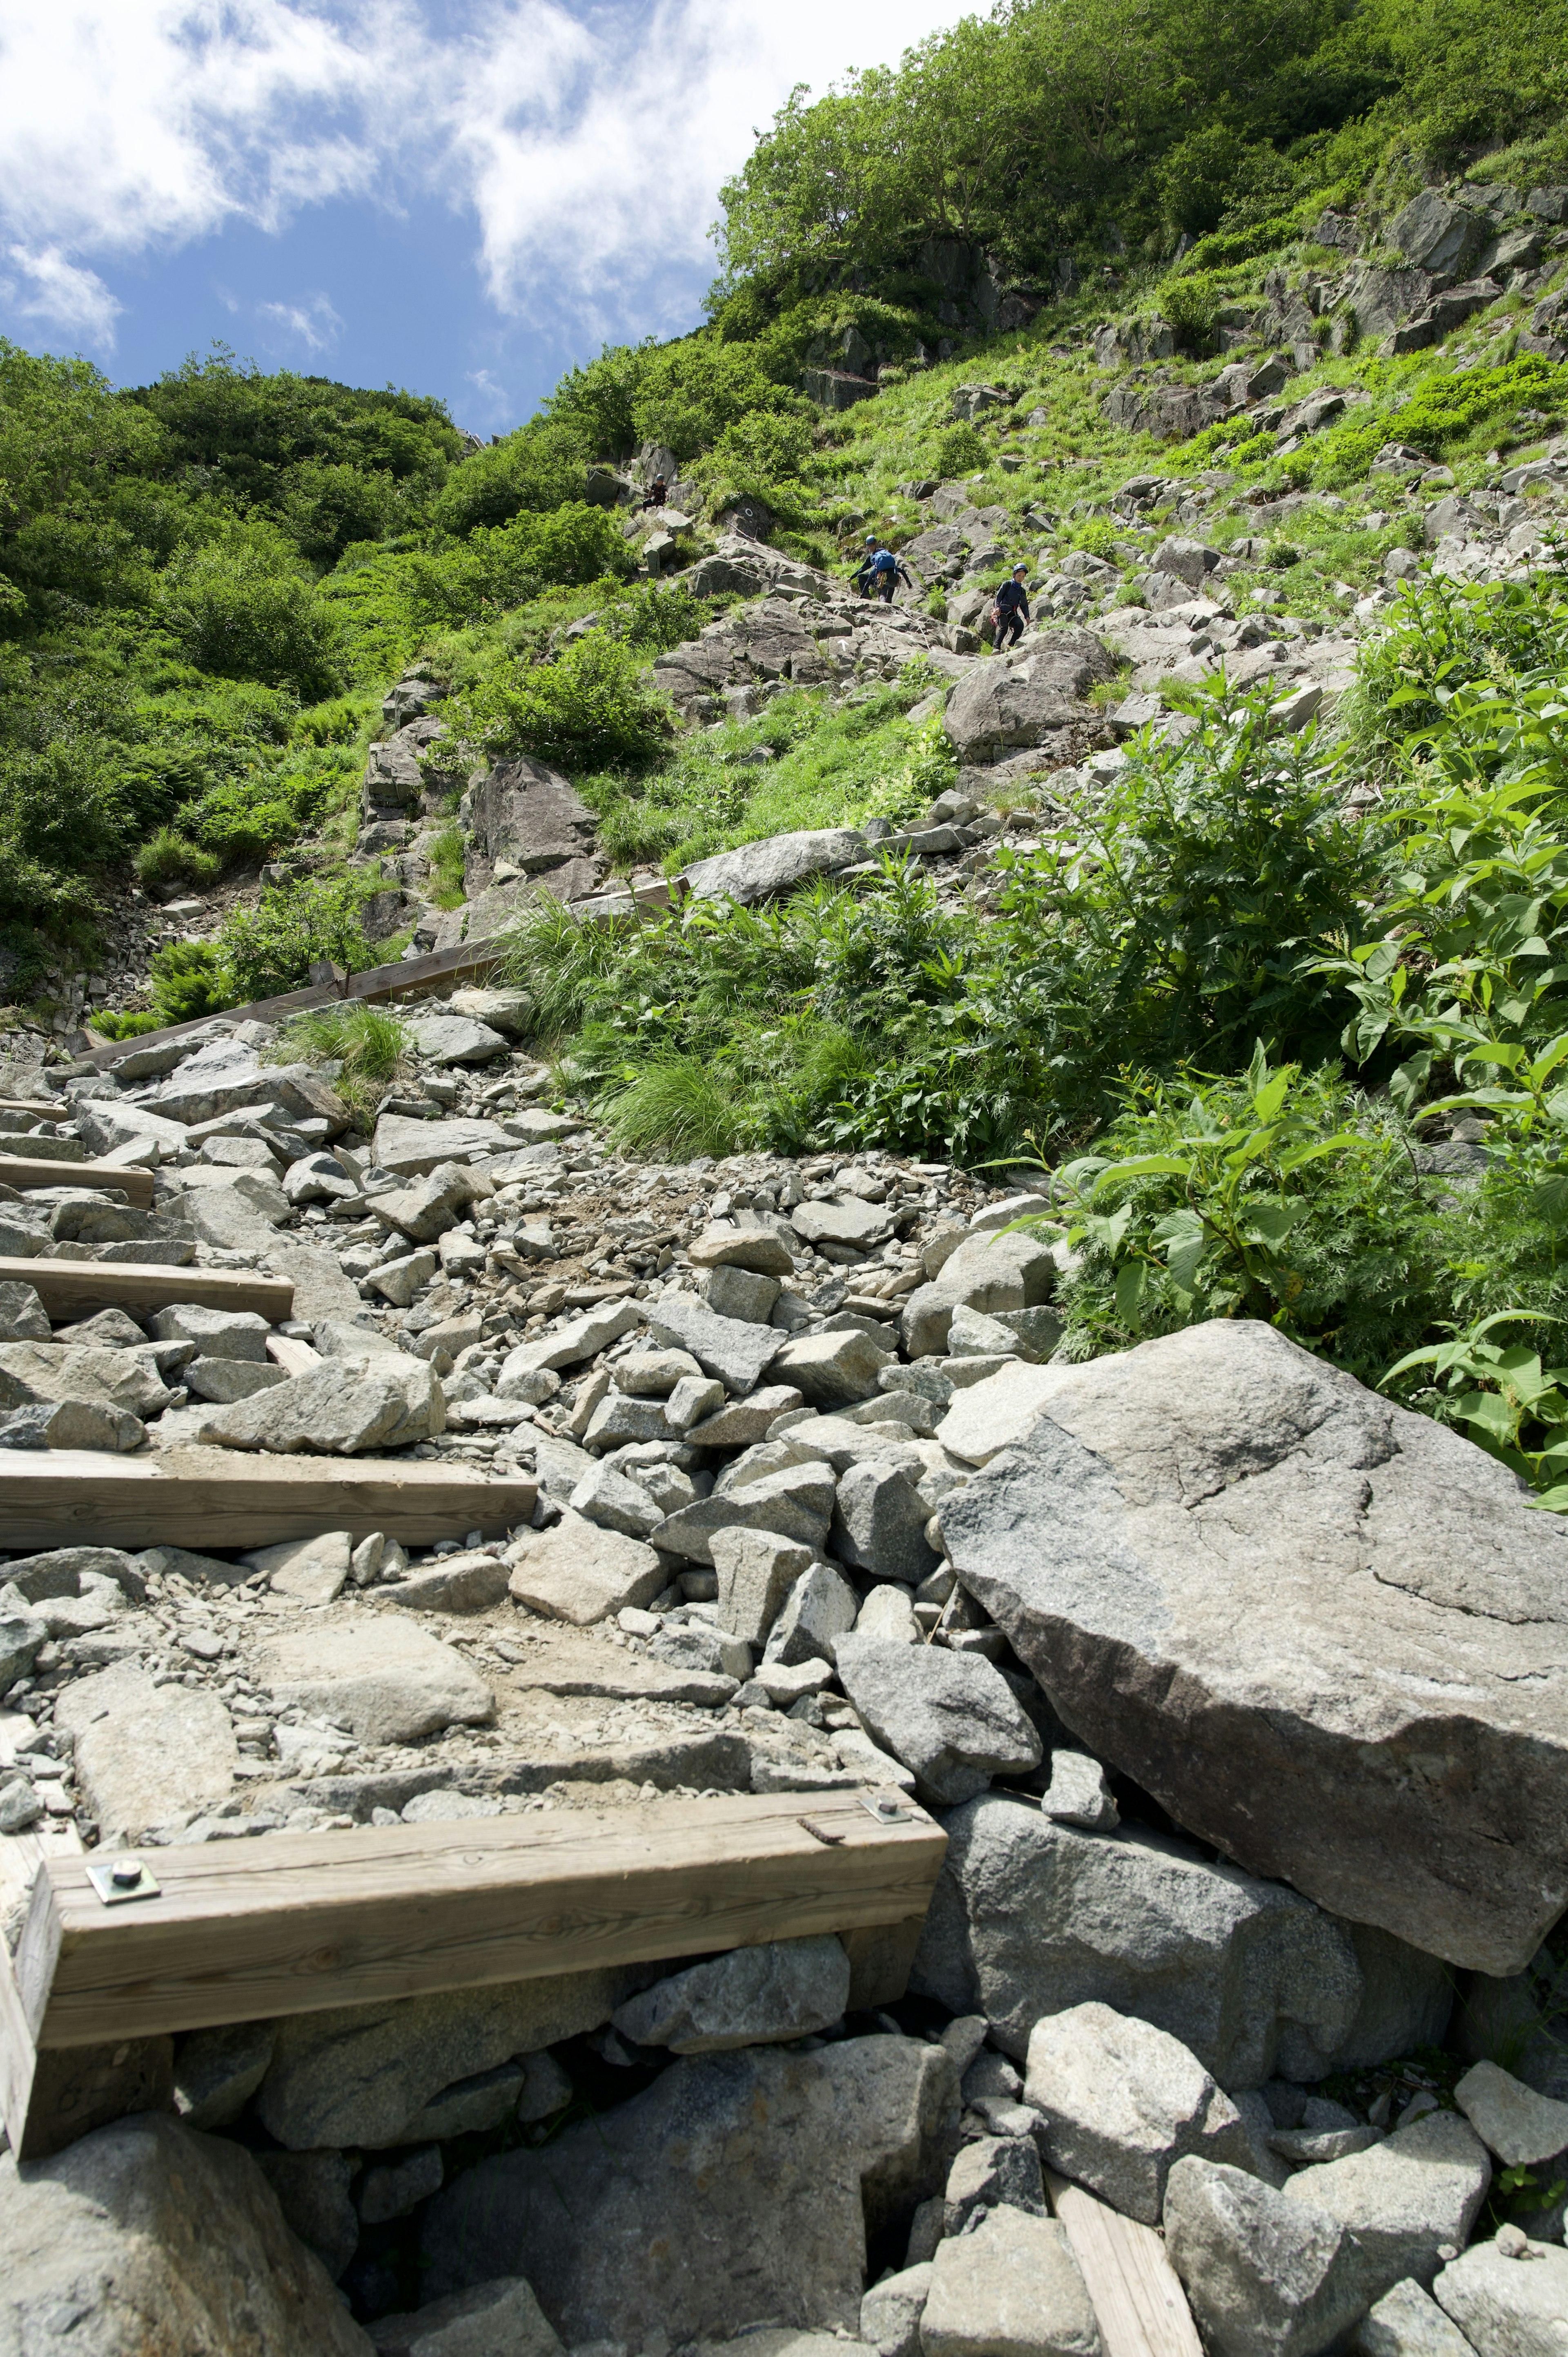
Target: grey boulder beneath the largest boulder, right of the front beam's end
[1034,1917]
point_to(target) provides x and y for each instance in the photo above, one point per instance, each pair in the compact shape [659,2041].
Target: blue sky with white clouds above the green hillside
[461,199]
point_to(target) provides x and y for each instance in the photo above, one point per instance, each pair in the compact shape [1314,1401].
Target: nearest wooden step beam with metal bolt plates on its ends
[305,1922]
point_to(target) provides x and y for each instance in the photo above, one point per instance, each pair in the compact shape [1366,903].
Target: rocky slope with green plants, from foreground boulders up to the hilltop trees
[991,1479]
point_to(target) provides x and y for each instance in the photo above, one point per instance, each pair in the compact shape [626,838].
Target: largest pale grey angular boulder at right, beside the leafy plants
[1326,1635]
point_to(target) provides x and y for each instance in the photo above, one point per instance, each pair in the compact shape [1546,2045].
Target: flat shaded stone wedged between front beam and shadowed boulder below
[751,1998]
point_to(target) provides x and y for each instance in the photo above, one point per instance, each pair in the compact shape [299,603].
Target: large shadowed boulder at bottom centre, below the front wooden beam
[734,2188]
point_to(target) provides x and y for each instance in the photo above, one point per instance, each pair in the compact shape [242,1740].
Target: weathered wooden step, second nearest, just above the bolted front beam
[213,1500]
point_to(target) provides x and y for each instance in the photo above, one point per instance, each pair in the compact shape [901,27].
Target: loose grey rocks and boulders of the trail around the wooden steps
[793,1444]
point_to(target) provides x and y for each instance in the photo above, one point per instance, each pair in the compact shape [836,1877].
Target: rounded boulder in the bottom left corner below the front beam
[147,2236]
